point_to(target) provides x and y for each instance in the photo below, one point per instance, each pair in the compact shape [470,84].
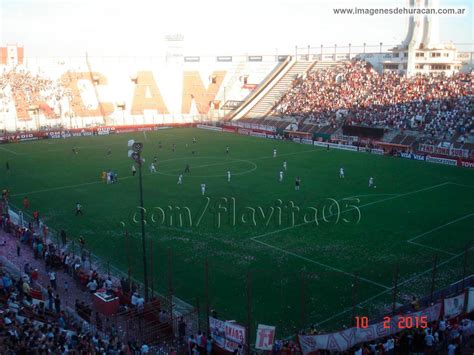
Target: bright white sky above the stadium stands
[210,27]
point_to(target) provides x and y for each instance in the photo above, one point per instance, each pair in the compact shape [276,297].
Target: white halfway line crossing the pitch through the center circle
[168,160]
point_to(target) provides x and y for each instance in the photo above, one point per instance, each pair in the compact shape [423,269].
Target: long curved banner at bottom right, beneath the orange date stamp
[346,339]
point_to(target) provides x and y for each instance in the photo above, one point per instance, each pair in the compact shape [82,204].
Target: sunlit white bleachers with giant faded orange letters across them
[128,90]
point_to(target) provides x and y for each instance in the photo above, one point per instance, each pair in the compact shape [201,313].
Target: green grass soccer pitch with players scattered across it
[416,211]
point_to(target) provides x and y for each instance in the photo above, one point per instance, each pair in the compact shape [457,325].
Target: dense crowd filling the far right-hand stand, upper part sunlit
[434,104]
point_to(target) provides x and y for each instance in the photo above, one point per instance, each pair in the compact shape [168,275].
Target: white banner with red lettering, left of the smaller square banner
[227,335]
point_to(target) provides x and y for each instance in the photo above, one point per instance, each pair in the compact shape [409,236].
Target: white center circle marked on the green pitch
[175,172]
